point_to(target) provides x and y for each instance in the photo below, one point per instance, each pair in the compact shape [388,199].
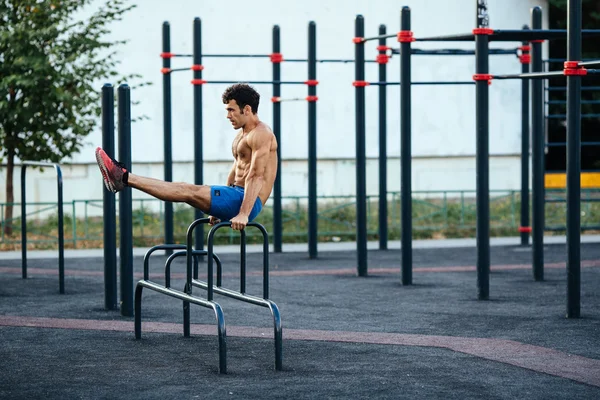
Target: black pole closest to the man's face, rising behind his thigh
[198,156]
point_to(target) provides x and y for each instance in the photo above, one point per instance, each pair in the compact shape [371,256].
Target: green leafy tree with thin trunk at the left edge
[51,65]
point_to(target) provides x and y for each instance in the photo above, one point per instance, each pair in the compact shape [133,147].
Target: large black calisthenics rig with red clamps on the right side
[573,70]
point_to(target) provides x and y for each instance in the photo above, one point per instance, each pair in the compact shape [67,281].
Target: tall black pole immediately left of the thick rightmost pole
[537,152]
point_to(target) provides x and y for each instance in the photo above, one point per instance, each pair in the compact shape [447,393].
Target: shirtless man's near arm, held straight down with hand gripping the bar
[261,147]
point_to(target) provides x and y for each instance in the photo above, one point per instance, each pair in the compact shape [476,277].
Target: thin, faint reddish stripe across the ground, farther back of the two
[312,272]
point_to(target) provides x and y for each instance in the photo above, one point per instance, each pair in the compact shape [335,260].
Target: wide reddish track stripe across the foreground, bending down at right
[535,358]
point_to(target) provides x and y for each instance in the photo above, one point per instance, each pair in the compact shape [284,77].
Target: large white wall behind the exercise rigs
[443,116]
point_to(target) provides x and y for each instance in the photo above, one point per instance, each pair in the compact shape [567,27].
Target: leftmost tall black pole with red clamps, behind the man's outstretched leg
[167,133]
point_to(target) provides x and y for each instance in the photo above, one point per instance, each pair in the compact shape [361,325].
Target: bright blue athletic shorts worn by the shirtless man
[225,202]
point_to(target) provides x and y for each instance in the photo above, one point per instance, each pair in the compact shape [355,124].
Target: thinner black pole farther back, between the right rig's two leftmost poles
[383,214]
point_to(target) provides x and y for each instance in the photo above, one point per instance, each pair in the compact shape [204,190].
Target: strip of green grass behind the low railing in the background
[440,217]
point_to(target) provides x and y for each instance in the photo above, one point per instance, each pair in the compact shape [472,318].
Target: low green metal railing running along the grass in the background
[449,213]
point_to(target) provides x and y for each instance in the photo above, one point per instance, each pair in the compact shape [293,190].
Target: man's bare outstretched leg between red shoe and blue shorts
[197,196]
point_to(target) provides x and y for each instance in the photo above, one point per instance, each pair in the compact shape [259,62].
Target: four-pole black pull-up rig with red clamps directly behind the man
[276,58]
